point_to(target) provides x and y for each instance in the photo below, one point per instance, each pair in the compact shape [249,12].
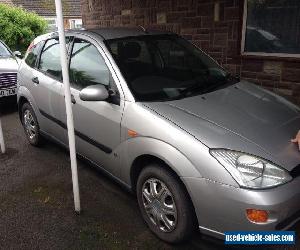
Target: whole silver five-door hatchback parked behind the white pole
[200,148]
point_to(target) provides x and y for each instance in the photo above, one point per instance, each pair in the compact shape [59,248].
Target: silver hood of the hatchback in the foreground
[237,116]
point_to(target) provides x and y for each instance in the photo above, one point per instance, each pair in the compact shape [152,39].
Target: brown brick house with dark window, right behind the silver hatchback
[257,40]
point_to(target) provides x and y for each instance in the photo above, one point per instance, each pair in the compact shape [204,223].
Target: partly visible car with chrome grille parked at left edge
[8,71]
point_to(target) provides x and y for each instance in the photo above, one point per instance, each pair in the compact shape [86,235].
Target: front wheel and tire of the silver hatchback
[166,207]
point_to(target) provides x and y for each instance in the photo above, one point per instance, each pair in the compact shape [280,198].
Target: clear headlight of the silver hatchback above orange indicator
[250,171]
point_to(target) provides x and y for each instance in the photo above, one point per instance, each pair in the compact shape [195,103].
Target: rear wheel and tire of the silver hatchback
[31,126]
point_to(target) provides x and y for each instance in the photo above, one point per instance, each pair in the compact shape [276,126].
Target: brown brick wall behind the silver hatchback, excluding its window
[195,20]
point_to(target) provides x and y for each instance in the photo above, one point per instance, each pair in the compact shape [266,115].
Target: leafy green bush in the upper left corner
[18,27]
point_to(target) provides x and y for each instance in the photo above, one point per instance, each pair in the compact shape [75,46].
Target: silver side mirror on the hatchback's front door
[94,93]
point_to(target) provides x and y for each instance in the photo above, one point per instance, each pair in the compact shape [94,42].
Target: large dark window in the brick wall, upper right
[271,28]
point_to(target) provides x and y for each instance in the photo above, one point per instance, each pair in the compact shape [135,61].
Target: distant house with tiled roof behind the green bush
[46,9]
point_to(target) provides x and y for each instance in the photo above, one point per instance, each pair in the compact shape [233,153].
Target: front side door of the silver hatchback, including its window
[97,123]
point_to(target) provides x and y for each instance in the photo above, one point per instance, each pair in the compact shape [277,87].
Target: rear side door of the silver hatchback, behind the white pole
[49,93]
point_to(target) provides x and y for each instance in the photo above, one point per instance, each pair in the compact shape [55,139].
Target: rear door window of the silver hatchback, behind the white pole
[50,58]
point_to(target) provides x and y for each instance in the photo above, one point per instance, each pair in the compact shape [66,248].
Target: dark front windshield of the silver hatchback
[166,67]
